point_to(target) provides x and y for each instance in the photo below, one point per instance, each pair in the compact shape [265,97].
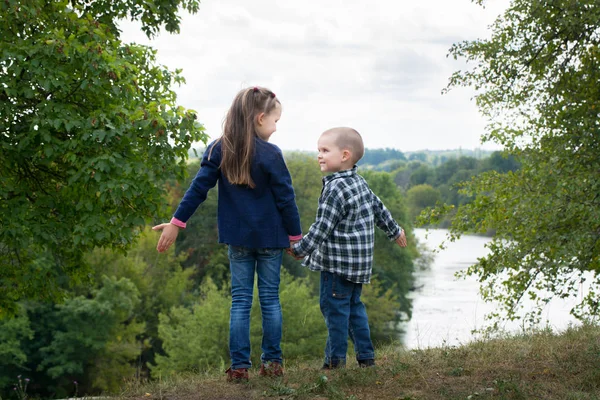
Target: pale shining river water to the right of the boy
[446,309]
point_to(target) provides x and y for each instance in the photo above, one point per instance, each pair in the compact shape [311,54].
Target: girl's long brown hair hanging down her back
[237,141]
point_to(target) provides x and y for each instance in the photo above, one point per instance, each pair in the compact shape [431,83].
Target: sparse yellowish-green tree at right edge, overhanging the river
[538,81]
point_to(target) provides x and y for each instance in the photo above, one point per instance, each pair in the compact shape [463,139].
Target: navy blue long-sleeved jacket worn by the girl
[263,217]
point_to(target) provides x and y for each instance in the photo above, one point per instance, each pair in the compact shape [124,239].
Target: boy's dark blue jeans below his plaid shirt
[345,315]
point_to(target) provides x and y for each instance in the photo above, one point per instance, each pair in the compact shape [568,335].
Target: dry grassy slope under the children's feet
[538,366]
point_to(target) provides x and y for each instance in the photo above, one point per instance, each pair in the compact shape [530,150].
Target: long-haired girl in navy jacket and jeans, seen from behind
[257,218]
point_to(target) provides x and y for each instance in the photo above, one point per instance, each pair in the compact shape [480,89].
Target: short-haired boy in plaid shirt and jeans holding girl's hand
[340,245]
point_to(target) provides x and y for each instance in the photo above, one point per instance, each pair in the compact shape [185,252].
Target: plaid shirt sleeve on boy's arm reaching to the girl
[330,211]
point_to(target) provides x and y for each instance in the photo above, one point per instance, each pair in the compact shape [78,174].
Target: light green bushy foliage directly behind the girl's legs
[195,339]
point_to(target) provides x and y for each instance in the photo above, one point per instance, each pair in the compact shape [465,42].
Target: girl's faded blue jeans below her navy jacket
[244,263]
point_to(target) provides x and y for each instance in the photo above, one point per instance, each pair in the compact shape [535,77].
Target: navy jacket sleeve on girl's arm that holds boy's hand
[283,192]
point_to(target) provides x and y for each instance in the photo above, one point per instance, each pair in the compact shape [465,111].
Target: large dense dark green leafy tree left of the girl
[89,131]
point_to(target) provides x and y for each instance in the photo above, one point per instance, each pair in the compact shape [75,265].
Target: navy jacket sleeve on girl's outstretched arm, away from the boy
[205,179]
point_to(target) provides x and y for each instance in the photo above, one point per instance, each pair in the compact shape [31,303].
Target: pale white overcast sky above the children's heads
[378,66]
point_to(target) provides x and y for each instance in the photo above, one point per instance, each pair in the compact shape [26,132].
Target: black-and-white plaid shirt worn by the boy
[342,238]
